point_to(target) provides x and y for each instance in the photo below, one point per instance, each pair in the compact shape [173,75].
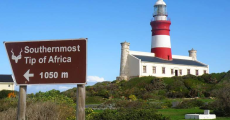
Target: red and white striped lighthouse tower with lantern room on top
[161,44]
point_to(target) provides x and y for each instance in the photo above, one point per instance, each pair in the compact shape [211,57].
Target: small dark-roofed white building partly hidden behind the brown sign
[6,82]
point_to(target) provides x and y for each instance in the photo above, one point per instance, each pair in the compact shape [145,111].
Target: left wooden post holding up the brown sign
[22,103]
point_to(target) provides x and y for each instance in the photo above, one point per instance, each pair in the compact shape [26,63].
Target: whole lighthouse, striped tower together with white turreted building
[160,62]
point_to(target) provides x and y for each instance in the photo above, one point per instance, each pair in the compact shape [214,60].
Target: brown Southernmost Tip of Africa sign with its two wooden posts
[49,62]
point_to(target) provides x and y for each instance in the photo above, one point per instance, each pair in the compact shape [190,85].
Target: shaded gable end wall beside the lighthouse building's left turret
[134,66]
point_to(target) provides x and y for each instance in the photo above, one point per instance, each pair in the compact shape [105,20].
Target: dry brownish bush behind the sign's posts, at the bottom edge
[42,111]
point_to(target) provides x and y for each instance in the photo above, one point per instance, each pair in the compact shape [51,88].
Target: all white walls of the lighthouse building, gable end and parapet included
[136,66]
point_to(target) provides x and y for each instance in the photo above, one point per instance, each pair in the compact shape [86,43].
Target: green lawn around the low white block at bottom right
[178,114]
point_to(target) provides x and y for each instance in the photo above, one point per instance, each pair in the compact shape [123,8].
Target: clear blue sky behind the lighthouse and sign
[199,24]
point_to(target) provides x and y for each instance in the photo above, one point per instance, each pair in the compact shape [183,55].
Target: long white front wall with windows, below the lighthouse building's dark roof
[168,68]
